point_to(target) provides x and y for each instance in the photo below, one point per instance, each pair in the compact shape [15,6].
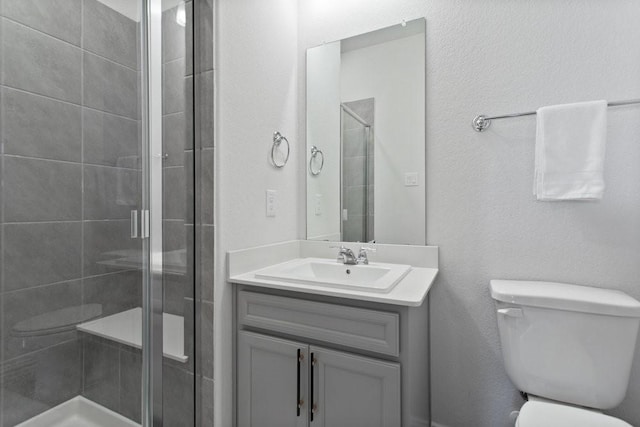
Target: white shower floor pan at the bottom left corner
[79,412]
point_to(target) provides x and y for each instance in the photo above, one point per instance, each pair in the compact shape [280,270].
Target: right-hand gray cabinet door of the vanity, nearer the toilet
[354,391]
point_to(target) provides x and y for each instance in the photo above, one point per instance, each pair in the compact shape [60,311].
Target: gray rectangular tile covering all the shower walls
[69,123]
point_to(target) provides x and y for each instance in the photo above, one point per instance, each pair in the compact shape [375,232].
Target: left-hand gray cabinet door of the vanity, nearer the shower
[272,379]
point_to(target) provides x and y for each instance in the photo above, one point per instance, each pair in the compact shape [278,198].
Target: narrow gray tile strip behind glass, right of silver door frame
[177,175]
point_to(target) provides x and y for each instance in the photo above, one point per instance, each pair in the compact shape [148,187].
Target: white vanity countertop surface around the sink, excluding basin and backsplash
[410,291]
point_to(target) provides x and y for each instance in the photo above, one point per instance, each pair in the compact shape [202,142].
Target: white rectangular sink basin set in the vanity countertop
[375,277]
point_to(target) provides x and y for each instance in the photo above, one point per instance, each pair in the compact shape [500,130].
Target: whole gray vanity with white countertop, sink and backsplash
[317,346]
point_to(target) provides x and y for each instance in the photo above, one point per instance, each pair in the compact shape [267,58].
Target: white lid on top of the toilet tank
[563,296]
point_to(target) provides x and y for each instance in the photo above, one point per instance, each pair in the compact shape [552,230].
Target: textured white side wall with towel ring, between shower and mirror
[257,94]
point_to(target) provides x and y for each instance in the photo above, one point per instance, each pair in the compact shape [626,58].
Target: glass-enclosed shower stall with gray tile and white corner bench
[106,213]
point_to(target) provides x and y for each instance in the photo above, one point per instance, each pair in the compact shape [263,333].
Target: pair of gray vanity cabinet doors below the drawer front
[346,390]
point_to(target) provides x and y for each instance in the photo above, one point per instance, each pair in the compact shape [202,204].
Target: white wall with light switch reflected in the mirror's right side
[393,74]
